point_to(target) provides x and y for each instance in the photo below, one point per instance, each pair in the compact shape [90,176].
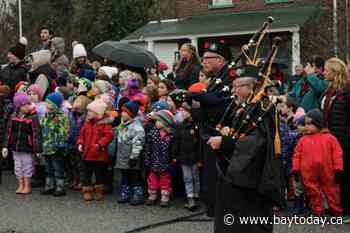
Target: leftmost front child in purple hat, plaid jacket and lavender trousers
[23,139]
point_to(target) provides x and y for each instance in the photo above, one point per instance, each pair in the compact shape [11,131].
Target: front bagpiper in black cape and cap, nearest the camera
[249,169]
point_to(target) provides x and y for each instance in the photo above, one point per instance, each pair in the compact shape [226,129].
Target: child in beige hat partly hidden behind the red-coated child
[76,118]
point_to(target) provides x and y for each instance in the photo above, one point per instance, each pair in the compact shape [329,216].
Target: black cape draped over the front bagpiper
[250,162]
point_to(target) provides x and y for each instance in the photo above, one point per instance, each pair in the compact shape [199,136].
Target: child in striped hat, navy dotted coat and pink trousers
[158,156]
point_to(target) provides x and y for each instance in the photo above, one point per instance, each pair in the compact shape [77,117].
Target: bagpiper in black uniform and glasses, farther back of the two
[214,61]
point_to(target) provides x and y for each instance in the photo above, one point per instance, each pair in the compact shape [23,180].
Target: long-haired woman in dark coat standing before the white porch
[187,70]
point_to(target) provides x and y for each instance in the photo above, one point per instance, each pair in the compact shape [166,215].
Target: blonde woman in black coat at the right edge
[336,108]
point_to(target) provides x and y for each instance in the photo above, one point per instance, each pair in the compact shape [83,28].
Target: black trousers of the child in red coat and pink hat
[96,168]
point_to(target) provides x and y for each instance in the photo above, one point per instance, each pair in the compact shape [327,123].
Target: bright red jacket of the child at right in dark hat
[318,152]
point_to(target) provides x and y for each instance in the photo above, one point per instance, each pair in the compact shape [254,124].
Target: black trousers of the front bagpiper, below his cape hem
[240,202]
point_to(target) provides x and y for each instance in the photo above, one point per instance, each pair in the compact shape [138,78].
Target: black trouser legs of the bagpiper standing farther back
[209,179]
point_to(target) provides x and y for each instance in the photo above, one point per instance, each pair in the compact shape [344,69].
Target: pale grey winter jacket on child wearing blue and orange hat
[131,137]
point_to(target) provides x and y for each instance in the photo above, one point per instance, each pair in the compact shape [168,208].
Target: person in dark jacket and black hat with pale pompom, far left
[16,69]
